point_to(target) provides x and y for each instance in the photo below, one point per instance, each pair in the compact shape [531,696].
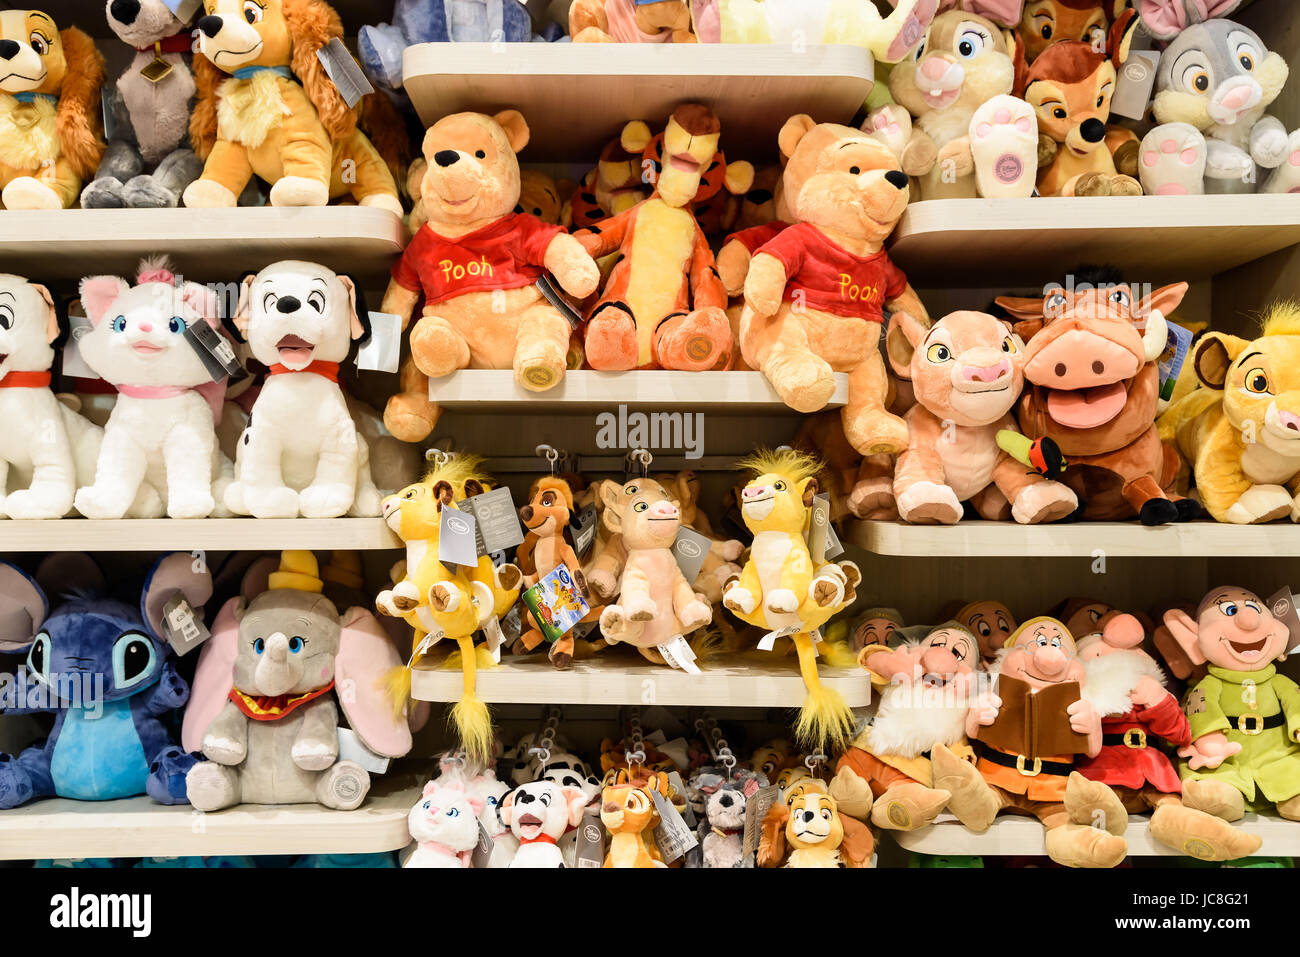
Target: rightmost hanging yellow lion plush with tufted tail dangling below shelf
[783,591]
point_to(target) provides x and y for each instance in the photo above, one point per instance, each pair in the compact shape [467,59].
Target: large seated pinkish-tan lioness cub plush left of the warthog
[968,371]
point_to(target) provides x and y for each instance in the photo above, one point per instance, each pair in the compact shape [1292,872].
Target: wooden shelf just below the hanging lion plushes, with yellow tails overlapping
[625,678]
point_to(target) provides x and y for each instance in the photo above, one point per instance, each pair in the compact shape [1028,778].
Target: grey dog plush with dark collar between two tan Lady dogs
[149,163]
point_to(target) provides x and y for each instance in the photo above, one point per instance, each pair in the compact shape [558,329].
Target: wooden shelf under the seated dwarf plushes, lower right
[1017,837]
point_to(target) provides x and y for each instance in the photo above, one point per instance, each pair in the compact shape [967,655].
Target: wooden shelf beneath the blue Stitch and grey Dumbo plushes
[138,828]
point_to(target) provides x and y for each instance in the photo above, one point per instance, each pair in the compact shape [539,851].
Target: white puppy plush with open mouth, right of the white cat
[301,453]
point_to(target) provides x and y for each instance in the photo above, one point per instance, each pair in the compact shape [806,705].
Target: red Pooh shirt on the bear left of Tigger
[506,254]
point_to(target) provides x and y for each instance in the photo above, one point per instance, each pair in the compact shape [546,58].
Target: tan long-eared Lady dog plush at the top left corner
[50,131]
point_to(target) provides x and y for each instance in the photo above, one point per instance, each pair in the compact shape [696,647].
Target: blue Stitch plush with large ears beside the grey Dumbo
[107,674]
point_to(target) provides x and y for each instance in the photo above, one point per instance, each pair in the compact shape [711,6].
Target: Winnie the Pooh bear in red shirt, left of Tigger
[476,262]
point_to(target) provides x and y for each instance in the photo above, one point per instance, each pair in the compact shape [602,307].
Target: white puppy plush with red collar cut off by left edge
[47,451]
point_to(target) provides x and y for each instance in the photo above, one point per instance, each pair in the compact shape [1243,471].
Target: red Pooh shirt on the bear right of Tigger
[834,280]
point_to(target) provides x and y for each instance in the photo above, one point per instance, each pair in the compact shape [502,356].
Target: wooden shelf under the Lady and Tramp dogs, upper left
[205,244]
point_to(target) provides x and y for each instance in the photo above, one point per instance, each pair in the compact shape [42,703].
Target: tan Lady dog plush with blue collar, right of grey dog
[278,115]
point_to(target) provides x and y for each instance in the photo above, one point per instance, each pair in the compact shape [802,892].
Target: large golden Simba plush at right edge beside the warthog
[1241,432]
